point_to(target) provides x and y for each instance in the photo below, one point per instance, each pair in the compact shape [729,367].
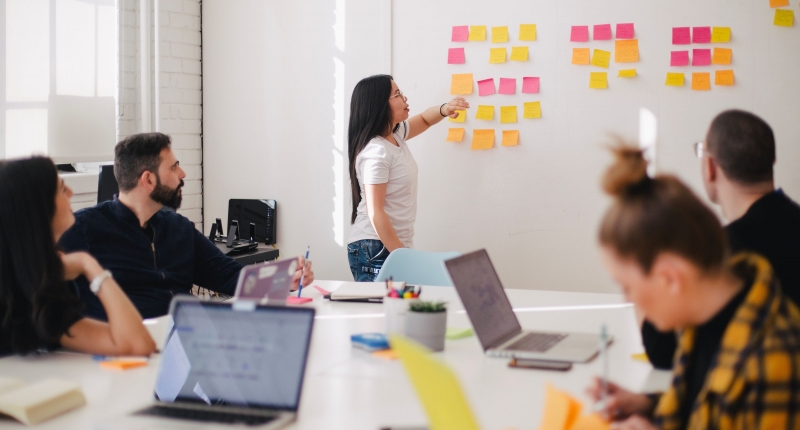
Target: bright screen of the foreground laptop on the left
[241,355]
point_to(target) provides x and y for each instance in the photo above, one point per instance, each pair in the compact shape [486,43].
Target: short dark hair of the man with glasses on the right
[743,145]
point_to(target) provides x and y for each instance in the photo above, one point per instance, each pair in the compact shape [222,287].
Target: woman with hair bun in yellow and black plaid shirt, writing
[738,359]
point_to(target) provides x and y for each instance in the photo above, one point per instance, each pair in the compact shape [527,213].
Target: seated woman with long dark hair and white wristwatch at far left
[39,306]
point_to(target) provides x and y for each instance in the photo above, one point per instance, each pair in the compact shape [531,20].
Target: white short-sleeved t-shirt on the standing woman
[381,162]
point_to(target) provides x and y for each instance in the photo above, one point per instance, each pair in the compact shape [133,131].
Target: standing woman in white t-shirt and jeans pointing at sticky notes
[383,173]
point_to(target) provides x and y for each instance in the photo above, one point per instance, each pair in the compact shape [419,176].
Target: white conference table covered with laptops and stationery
[348,388]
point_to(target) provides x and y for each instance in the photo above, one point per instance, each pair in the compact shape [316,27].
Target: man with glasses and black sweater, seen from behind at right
[736,162]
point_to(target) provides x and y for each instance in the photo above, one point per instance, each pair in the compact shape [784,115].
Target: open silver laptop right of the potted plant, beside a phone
[495,323]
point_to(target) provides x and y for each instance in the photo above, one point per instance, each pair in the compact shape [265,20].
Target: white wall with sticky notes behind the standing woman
[274,127]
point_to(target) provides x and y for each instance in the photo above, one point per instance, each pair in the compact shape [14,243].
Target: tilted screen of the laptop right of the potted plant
[483,297]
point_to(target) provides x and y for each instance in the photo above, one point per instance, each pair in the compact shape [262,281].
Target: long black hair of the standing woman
[370,116]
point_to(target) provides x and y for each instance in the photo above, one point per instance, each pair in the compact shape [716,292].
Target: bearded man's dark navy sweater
[151,265]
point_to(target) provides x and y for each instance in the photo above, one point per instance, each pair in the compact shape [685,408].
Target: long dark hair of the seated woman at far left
[36,305]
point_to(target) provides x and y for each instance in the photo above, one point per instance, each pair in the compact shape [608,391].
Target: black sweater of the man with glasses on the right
[770,227]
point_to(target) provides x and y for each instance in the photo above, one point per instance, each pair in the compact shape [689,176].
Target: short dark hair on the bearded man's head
[137,154]
